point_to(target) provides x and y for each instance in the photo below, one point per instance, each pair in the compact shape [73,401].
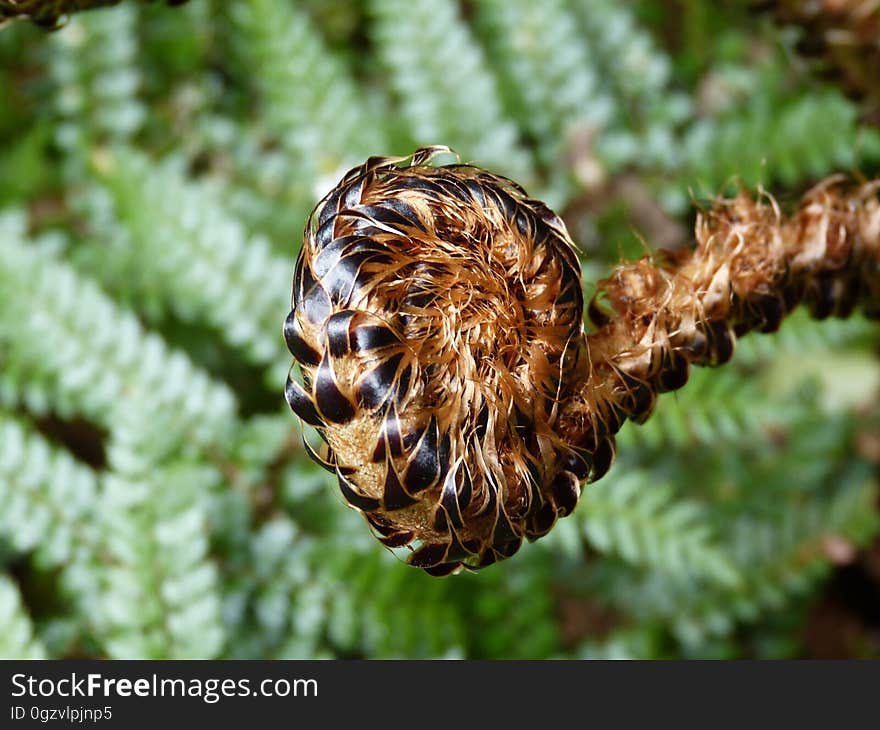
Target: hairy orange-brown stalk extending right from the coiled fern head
[750,268]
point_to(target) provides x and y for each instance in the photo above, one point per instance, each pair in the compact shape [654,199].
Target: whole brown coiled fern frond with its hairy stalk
[437,325]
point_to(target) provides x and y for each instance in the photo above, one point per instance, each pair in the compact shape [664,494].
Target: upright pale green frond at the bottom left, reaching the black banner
[160,596]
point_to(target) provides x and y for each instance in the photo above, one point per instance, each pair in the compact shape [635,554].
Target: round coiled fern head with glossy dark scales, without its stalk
[437,316]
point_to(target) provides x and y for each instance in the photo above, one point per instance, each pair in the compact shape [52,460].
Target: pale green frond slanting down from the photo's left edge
[66,340]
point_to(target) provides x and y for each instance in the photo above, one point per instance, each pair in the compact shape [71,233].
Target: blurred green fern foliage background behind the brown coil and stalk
[156,169]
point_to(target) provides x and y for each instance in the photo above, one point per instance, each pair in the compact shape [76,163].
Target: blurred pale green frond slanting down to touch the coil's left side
[183,252]
